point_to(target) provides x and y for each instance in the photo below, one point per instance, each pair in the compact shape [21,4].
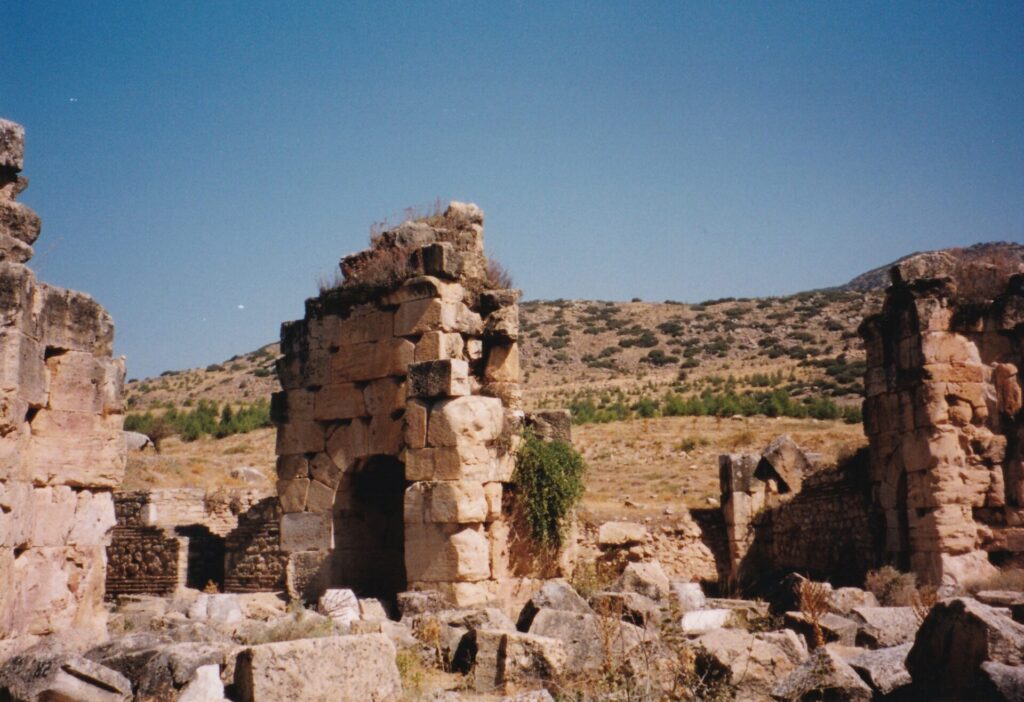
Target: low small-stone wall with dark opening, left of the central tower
[169,539]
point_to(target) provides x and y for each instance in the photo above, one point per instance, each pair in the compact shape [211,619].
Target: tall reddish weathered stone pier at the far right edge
[944,418]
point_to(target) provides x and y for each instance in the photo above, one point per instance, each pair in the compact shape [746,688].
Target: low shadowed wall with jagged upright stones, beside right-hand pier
[824,526]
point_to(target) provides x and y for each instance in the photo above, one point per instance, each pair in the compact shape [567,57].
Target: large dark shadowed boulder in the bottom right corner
[957,637]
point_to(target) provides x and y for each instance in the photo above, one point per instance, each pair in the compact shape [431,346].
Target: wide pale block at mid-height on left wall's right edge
[77,450]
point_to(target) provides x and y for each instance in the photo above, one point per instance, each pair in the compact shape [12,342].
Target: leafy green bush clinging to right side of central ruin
[549,482]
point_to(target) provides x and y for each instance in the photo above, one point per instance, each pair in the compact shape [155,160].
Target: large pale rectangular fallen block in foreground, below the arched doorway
[355,669]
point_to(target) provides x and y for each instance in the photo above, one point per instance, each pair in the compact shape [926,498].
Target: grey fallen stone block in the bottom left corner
[46,675]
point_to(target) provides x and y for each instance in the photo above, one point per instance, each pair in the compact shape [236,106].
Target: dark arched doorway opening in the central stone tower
[369,529]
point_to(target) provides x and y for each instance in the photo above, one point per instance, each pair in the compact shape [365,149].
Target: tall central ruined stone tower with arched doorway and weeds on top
[398,418]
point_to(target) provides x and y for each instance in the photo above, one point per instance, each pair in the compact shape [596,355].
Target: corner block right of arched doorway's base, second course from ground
[438,553]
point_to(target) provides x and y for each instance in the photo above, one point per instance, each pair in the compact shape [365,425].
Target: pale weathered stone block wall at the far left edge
[62,451]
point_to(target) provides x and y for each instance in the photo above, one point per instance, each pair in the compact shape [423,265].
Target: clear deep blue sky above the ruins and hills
[189,158]
